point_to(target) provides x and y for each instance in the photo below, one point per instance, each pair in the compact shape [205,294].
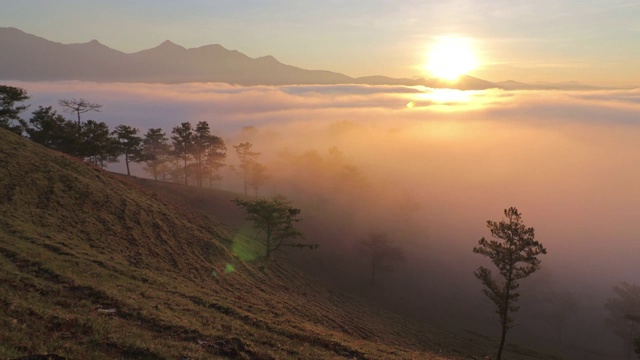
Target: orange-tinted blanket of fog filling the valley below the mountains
[429,167]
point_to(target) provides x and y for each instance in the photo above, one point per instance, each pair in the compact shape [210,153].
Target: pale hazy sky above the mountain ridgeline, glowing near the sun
[588,41]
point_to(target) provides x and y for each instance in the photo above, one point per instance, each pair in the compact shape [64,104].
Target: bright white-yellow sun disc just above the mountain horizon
[451,57]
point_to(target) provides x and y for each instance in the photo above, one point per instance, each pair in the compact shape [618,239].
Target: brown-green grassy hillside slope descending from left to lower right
[93,266]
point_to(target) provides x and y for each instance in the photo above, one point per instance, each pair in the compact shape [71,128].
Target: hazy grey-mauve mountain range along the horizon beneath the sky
[28,57]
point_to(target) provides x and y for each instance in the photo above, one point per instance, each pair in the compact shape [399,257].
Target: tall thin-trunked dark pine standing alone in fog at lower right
[515,254]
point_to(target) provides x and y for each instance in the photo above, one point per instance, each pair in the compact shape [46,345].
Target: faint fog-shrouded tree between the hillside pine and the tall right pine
[382,252]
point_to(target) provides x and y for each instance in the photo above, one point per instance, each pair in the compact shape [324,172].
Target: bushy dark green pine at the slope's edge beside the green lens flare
[276,219]
